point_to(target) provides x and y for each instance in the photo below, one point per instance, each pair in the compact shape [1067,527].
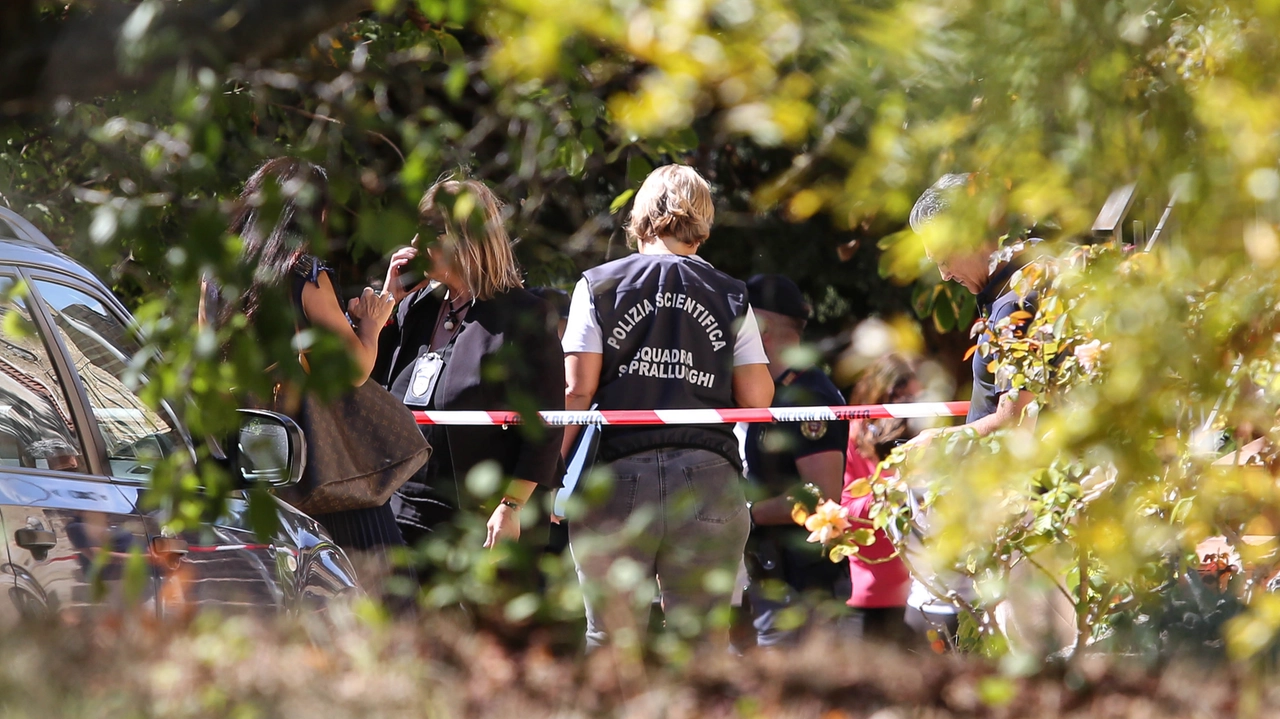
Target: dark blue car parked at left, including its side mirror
[77,448]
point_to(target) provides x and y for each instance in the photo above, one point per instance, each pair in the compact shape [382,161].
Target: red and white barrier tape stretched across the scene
[560,419]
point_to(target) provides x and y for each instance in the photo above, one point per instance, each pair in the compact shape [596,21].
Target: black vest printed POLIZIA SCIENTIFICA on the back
[669,324]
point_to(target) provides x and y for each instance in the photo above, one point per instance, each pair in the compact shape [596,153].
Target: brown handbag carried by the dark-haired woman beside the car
[362,447]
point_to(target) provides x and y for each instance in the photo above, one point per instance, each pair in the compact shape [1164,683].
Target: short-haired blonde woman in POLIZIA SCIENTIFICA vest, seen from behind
[662,329]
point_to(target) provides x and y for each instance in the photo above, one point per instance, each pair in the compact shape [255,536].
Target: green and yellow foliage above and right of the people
[819,123]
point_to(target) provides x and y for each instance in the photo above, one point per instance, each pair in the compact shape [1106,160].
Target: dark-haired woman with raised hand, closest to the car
[284,205]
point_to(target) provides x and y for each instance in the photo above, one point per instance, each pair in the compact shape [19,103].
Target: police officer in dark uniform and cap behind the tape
[783,566]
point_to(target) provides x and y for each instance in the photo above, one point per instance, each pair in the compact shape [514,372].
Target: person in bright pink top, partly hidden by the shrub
[881,581]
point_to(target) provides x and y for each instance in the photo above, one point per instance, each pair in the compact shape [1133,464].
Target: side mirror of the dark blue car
[271,448]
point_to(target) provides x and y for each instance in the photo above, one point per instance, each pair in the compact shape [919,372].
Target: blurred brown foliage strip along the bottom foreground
[365,666]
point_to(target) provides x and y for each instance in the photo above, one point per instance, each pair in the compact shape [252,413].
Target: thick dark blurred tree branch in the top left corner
[127,47]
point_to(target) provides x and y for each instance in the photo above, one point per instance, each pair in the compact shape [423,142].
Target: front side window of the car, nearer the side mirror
[100,350]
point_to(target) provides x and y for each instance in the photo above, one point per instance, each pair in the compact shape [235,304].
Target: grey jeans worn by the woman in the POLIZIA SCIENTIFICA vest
[678,516]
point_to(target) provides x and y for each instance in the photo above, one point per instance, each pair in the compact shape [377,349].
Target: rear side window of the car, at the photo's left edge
[36,427]
